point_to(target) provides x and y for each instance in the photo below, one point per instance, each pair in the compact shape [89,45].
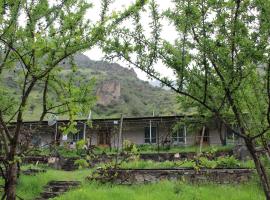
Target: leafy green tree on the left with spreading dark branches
[36,37]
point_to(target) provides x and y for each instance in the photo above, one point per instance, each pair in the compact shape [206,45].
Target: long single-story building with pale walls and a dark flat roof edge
[161,130]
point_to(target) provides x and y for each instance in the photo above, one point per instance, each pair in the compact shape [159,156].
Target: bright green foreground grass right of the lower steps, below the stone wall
[165,190]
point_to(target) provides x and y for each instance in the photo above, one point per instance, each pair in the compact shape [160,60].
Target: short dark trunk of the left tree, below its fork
[11,181]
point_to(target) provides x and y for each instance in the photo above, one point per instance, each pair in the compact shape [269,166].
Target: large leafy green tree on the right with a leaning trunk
[220,58]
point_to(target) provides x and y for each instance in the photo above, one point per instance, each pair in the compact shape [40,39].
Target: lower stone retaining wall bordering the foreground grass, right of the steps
[223,176]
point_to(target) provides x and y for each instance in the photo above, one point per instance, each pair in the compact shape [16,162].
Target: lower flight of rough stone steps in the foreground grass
[57,188]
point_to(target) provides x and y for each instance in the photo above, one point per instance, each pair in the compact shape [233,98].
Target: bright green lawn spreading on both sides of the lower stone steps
[29,188]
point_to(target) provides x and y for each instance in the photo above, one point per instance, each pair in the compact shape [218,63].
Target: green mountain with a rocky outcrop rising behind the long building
[118,90]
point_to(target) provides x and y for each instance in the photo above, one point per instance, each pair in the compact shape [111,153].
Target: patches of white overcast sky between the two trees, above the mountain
[168,32]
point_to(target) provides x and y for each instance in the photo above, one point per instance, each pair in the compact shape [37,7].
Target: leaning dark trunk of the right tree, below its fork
[259,167]
